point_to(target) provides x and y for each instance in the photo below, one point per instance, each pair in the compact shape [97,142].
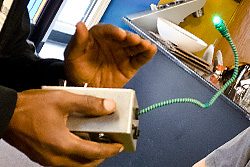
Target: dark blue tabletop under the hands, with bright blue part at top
[179,134]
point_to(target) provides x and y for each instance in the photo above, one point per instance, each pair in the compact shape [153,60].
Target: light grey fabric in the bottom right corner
[235,153]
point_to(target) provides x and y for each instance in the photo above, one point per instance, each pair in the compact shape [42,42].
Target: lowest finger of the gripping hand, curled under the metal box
[93,150]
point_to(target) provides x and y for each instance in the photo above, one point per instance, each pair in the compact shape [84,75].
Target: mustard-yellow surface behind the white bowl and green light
[203,27]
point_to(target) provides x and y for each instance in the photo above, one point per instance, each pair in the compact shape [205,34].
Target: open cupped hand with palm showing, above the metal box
[105,56]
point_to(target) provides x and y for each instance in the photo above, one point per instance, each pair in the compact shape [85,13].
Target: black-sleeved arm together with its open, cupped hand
[106,56]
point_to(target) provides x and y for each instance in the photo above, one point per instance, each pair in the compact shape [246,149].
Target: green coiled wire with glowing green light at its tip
[221,27]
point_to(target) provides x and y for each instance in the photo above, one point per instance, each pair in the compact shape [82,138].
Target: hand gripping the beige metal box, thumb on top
[38,128]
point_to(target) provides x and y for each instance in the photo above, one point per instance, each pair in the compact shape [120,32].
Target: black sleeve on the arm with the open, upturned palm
[20,68]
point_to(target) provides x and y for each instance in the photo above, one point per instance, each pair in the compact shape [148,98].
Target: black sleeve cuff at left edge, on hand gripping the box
[8,99]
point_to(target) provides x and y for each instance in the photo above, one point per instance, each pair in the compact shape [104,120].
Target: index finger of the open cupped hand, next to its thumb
[108,31]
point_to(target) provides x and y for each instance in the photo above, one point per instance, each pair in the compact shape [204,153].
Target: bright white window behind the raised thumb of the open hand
[88,11]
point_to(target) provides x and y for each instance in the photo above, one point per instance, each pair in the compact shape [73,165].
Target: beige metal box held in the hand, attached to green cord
[120,126]
